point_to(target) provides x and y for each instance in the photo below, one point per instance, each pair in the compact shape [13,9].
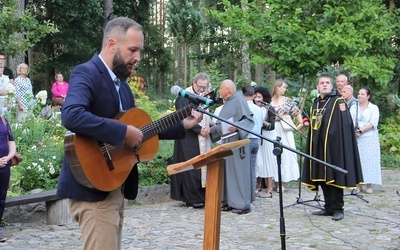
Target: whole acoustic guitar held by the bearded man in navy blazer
[105,167]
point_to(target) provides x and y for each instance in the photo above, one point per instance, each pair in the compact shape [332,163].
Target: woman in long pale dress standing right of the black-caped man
[366,117]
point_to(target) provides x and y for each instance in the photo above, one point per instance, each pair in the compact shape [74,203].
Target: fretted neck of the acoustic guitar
[165,122]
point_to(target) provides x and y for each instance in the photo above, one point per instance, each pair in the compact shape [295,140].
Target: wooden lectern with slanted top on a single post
[214,160]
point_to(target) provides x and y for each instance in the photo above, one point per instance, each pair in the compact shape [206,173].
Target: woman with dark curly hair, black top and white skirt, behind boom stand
[266,166]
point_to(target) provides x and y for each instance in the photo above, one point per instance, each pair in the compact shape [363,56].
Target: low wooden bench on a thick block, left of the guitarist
[57,212]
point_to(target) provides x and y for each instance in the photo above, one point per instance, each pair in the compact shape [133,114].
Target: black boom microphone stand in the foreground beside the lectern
[278,148]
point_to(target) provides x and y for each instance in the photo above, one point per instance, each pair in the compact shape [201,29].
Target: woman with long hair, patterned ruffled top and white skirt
[286,108]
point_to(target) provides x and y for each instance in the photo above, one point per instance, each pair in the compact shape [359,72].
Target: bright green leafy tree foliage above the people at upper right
[303,36]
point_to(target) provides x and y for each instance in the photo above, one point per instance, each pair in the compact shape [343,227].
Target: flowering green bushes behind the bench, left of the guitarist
[40,143]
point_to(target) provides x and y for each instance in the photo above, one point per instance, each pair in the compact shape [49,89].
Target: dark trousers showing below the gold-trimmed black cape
[333,197]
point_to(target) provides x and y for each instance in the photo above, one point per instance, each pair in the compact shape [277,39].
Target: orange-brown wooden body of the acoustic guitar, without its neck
[89,164]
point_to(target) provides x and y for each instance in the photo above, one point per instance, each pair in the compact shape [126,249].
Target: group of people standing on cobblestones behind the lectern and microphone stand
[341,130]
